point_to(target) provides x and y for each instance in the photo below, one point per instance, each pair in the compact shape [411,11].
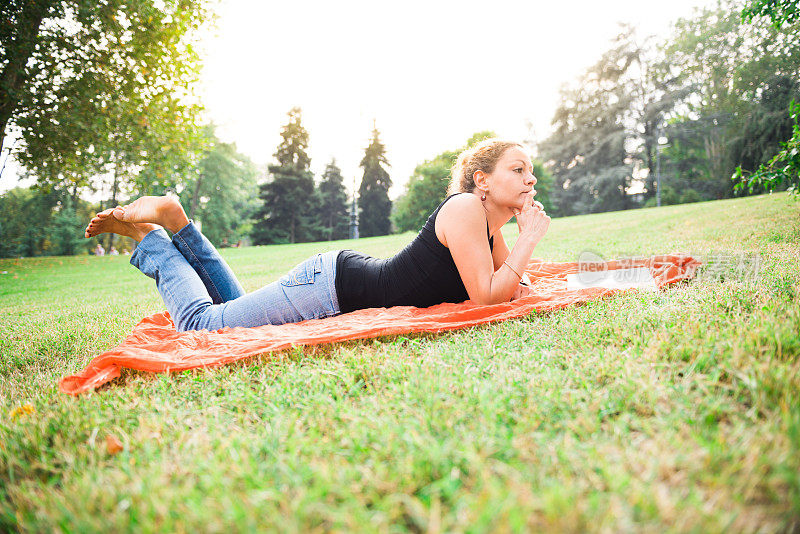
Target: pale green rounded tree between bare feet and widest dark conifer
[221,194]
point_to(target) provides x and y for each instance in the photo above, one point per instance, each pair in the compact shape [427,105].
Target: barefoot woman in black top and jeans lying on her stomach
[459,254]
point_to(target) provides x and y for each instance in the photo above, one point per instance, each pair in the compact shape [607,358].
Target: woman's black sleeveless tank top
[421,275]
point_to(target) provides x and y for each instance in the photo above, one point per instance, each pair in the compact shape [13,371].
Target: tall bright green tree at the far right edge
[737,72]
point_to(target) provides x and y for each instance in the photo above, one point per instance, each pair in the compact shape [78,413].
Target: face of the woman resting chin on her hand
[512,179]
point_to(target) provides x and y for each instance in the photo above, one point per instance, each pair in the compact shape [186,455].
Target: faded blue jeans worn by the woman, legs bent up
[201,292]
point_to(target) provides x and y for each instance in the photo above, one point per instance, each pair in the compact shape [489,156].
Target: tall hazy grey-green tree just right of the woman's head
[608,125]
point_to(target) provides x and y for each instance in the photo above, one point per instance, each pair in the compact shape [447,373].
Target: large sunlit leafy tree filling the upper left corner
[100,88]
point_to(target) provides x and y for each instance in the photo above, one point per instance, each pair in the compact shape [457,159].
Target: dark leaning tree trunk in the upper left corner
[18,51]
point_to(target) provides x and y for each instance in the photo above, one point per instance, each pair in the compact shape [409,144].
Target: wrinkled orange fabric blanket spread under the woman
[155,345]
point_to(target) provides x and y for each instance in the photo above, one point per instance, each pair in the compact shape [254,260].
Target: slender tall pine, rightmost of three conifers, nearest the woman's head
[374,205]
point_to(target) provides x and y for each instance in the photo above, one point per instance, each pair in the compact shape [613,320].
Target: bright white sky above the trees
[430,73]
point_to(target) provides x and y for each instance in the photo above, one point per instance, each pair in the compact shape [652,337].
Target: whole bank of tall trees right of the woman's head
[716,89]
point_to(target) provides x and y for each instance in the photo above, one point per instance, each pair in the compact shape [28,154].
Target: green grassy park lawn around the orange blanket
[676,411]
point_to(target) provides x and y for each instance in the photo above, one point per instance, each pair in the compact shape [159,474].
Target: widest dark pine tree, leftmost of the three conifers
[288,195]
